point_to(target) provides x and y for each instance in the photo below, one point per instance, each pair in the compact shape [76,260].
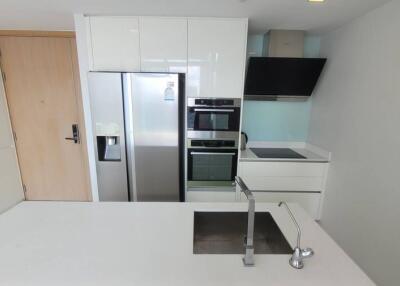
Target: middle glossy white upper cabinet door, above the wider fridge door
[163,44]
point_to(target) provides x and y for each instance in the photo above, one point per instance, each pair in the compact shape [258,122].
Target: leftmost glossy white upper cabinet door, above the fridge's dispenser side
[114,43]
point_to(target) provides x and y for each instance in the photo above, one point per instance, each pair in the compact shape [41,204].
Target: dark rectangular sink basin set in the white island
[224,233]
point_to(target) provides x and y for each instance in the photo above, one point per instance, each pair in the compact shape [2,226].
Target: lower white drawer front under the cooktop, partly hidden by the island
[308,201]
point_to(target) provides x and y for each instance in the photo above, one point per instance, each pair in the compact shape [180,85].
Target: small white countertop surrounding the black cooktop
[312,153]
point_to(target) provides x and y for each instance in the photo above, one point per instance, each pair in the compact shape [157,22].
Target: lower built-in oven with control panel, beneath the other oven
[212,162]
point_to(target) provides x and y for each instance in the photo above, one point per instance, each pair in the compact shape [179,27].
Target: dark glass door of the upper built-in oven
[213,119]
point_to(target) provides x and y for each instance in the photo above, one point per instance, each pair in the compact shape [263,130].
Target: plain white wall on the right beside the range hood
[356,116]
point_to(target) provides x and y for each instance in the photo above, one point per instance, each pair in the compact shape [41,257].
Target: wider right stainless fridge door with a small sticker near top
[151,117]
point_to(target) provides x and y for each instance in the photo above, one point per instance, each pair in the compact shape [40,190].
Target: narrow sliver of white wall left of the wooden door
[10,182]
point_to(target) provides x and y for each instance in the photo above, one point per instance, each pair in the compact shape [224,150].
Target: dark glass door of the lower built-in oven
[212,165]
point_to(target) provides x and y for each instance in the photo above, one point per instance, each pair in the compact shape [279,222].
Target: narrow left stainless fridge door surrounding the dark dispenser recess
[107,116]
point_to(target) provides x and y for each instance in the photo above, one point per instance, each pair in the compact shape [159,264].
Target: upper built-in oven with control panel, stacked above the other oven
[207,114]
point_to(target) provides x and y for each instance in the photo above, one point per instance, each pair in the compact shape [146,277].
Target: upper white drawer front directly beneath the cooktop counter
[281,169]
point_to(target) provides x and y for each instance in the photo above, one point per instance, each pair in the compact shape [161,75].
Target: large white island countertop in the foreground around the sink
[63,243]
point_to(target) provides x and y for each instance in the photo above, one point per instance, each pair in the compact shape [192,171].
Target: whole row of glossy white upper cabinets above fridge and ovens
[211,51]
